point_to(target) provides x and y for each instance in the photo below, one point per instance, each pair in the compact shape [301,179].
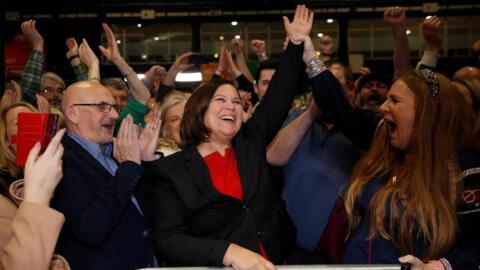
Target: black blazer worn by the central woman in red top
[193,223]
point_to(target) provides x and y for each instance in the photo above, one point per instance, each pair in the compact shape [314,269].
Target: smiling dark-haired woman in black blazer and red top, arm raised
[194,223]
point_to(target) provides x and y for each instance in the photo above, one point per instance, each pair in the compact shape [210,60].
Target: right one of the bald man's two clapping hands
[149,137]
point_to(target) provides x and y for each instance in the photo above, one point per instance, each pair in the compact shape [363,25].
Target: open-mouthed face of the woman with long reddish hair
[399,113]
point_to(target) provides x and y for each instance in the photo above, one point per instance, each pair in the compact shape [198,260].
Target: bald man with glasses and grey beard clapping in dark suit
[102,195]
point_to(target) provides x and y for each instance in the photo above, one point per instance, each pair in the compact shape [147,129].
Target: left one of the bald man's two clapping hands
[126,145]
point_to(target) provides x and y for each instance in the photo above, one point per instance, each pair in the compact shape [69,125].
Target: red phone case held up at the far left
[33,128]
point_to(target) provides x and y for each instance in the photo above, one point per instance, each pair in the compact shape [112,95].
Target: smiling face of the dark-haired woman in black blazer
[224,114]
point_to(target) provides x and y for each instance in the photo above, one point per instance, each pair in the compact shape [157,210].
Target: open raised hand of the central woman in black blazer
[301,26]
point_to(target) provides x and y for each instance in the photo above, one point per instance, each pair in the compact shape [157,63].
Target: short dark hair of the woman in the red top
[192,129]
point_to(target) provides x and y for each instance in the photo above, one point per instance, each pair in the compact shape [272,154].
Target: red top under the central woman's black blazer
[225,177]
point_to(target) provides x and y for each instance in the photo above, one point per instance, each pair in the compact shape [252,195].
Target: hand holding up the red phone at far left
[43,173]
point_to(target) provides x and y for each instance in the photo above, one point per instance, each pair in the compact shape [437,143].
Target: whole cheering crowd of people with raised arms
[374,170]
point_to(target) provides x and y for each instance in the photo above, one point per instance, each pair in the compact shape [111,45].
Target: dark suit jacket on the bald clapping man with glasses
[103,228]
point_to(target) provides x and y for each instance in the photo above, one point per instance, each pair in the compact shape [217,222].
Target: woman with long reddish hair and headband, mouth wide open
[402,194]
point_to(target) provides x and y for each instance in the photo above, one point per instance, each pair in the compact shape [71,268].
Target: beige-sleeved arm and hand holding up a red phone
[28,234]
